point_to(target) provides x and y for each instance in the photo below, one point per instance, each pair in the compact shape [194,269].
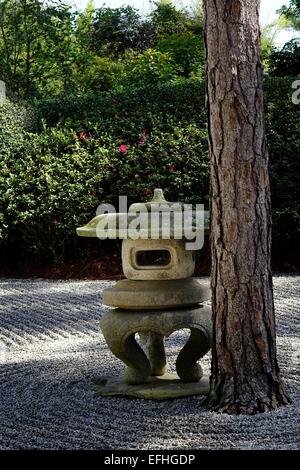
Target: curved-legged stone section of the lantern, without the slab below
[119,328]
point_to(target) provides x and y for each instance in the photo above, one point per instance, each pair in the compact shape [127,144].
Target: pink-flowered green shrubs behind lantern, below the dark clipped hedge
[56,181]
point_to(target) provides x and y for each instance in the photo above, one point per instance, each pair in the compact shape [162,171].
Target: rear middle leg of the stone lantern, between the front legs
[153,345]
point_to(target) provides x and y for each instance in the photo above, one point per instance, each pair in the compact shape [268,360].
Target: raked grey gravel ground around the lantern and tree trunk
[51,347]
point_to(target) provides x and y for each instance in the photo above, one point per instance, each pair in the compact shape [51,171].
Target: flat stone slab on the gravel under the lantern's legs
[169,386]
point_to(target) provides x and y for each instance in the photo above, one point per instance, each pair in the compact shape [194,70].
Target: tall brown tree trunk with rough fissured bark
[245,375]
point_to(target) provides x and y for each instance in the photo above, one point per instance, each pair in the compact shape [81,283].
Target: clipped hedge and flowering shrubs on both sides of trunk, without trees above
[80,152]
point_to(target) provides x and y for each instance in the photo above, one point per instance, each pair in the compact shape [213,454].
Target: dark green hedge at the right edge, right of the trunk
[283,118]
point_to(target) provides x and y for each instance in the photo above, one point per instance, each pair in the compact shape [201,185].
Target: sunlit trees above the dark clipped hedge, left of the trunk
[46,48]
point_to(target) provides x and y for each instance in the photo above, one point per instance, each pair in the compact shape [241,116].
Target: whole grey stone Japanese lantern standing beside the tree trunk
[158,297]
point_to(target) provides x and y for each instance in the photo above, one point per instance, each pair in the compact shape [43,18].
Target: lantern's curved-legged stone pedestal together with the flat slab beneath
[146,365]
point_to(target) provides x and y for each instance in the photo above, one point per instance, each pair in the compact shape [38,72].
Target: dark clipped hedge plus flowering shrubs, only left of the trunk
[55,180]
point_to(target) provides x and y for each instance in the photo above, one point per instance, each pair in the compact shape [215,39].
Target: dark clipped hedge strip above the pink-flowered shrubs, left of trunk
[181,100]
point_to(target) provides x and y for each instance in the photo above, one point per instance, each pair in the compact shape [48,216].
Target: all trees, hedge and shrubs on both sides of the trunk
[105,102]
